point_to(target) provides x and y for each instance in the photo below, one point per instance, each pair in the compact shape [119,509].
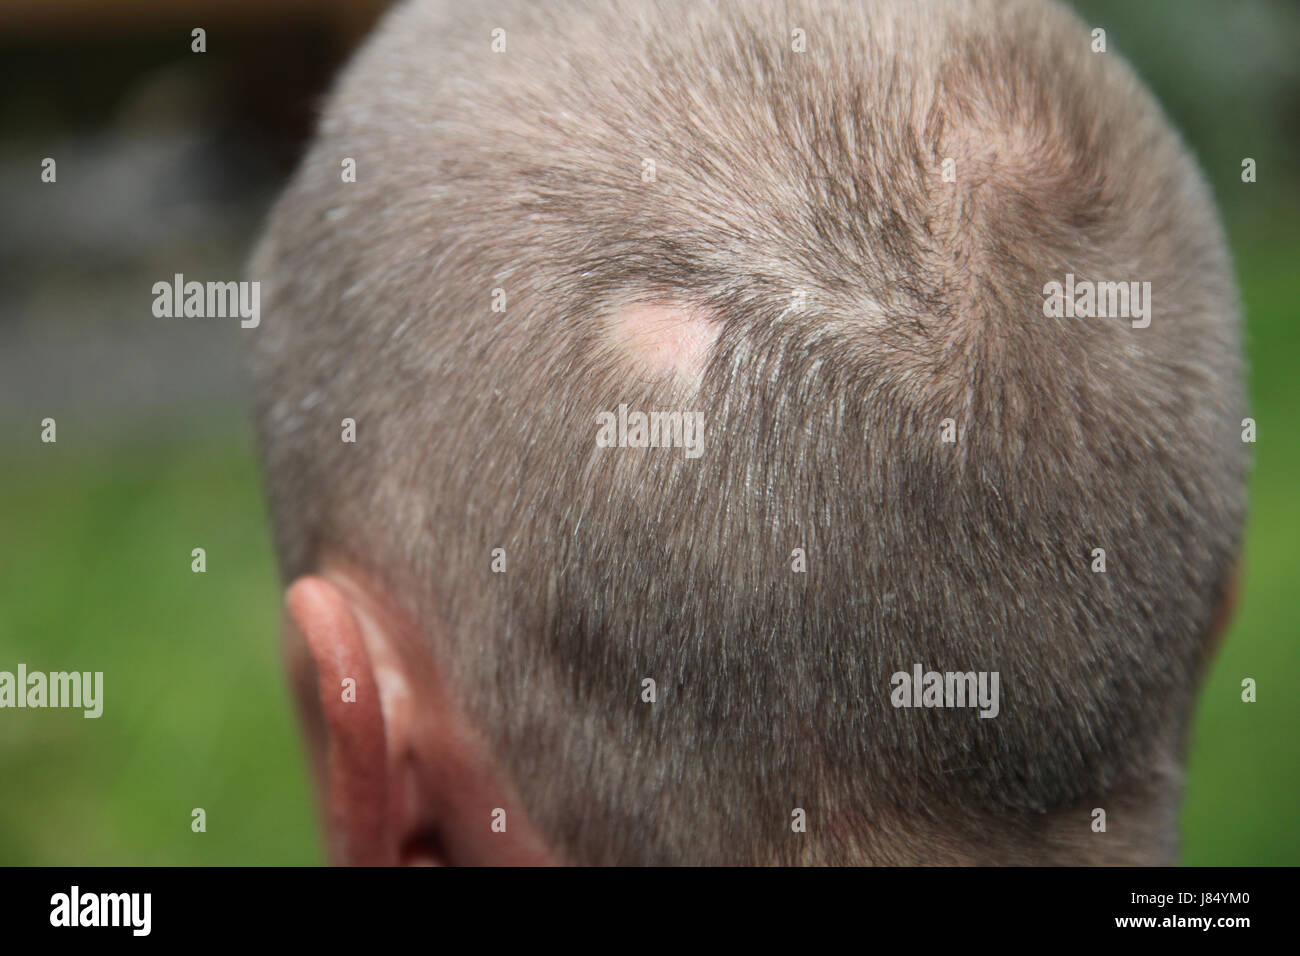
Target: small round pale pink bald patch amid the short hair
[662,340]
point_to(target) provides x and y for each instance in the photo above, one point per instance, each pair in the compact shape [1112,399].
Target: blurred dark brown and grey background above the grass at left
[167,161]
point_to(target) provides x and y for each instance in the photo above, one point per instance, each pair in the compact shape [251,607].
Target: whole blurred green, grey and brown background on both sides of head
[155,457]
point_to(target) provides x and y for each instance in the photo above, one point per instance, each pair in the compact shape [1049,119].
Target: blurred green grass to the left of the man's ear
[196,712]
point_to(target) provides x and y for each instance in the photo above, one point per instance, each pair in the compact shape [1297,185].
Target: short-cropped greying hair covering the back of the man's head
[759,191]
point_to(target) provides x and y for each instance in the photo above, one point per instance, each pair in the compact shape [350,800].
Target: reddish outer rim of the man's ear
[357,756]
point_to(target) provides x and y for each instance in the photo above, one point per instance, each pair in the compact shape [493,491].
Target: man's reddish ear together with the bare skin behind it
[402,775]
